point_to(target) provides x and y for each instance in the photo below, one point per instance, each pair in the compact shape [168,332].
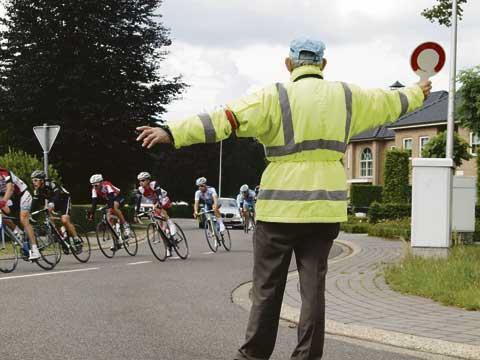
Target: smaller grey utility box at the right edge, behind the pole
[463,203]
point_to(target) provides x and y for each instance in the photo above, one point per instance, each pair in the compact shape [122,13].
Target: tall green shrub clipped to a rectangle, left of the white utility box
[396,178]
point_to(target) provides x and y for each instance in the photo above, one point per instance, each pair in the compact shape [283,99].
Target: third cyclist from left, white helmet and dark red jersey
[107,191]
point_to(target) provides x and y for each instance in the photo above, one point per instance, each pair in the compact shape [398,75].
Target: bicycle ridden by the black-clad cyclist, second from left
[80,250]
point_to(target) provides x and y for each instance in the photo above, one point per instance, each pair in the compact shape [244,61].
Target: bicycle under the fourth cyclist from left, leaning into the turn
[160,239]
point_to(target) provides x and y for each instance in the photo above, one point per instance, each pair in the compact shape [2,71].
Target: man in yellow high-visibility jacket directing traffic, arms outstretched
[305,126]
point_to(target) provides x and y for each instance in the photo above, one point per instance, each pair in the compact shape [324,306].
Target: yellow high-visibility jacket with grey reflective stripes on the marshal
[305,126]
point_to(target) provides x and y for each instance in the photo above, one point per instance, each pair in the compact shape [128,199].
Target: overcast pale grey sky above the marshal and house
[227,48]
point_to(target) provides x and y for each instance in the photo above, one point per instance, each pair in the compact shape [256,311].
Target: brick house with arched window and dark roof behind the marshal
[365,155]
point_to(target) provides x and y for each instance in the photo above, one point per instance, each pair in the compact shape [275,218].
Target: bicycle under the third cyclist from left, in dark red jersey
[111,237]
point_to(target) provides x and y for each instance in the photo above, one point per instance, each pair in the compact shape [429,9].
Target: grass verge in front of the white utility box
[454,281]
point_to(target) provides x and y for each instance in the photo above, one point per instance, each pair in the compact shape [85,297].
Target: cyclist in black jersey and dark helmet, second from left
[58,200]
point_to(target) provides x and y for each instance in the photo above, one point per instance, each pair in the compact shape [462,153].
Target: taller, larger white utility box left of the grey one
[431,200]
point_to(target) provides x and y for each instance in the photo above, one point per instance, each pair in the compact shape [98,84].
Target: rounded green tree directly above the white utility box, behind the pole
[436,148]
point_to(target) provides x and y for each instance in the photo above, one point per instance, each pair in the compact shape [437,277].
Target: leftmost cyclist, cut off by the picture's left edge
[14,196]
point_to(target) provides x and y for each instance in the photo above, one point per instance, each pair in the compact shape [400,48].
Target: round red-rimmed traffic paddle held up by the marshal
[427,60]
